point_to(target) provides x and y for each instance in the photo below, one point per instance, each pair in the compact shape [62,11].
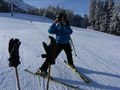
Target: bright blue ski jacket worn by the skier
[62,32]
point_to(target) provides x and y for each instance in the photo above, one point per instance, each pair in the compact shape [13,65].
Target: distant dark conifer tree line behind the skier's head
[51,12]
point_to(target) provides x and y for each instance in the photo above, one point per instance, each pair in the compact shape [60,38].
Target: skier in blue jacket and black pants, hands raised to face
[62,29]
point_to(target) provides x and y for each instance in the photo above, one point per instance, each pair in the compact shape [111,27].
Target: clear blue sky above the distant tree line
[80,7]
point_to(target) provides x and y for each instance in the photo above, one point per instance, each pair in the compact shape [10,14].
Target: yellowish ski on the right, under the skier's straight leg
[84,78]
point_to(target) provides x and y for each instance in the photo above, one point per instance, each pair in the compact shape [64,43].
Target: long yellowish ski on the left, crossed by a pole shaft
[53,79]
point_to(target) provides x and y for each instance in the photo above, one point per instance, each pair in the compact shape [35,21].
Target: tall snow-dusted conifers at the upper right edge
[104,16]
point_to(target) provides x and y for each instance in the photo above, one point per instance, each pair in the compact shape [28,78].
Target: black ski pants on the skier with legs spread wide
[59,48]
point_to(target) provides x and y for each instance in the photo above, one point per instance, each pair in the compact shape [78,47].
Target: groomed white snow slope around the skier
[98,56]
